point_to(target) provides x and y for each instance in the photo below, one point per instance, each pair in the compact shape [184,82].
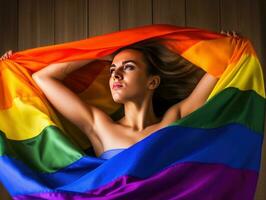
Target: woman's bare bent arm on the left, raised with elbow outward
[86,117]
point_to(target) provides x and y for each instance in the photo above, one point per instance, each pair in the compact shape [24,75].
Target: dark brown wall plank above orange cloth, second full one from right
[203,14]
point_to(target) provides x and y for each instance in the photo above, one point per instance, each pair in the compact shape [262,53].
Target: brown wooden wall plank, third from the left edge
[70,20]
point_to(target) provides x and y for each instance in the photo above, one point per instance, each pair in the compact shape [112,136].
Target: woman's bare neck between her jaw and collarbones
[139,115]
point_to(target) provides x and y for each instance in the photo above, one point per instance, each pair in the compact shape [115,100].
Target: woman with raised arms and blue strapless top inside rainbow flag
[139,74]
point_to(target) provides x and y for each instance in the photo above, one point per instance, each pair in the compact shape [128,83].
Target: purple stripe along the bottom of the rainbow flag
[186,181]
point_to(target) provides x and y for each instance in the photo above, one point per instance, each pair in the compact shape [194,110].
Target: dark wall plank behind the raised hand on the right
[246,17]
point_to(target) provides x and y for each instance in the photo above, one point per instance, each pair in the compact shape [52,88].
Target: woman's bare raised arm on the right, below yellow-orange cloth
[198,96]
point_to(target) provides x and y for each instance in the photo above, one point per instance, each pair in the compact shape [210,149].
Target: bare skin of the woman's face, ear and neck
[136,91]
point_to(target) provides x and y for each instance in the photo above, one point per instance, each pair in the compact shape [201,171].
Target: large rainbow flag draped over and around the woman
[212,153]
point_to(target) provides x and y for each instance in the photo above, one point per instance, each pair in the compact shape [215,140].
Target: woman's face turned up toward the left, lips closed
[128,76]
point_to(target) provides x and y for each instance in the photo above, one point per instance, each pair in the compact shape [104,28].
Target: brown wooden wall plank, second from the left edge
[36,23]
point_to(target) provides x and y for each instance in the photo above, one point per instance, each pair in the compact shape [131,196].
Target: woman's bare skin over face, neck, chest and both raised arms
[136,94]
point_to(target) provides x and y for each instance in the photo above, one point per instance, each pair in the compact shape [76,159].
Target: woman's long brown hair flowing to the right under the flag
[178,76]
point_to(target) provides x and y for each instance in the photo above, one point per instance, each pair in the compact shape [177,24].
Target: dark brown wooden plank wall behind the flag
[32,23]
